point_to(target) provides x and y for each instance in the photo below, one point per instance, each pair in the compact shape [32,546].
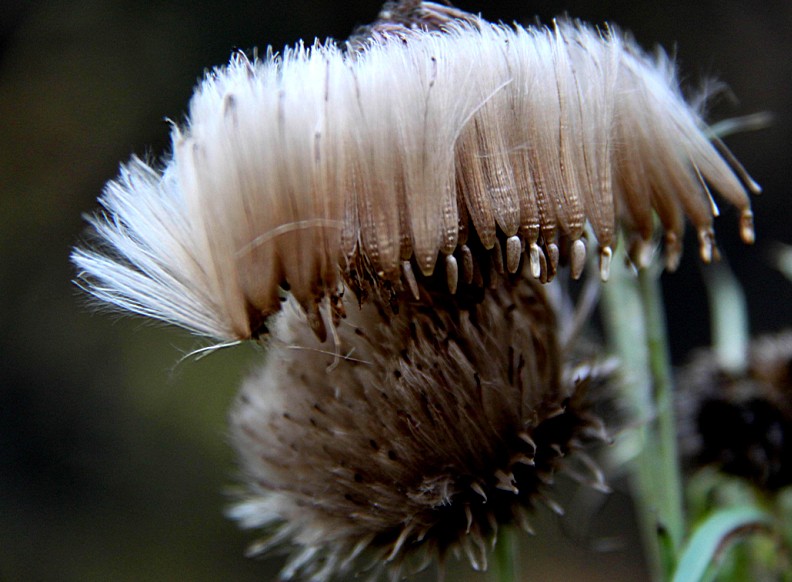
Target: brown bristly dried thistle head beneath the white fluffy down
[428,430]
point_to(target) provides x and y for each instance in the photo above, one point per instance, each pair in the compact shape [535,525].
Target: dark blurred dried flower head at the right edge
[742,422]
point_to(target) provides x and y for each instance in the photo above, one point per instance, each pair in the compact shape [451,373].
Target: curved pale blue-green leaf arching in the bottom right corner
[712,536]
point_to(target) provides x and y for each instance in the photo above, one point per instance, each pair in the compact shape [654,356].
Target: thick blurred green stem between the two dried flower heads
[633,315]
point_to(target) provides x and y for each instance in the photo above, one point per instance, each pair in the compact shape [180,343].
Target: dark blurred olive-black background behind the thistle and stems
[113,457]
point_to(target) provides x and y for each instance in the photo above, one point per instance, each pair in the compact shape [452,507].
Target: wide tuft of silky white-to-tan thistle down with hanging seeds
[454,152]
